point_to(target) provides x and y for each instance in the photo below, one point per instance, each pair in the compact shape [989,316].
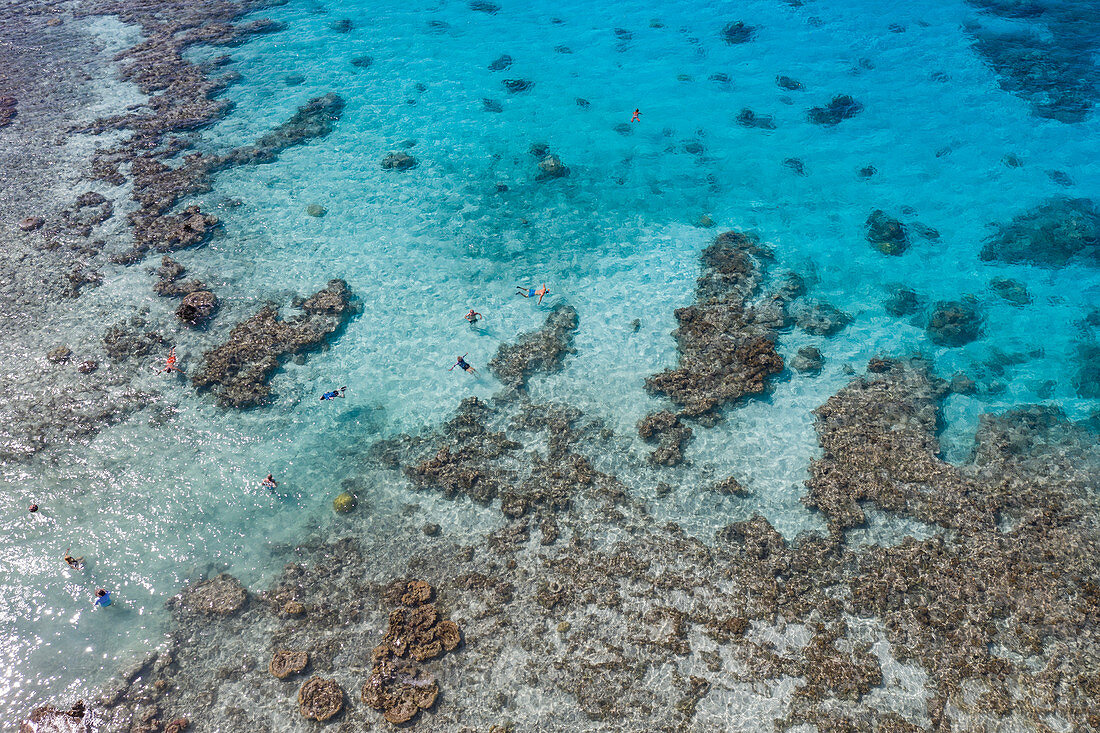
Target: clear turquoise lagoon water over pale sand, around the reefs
[172,495]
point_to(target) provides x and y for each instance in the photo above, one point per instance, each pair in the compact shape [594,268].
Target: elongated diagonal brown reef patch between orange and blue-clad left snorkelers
[239,370]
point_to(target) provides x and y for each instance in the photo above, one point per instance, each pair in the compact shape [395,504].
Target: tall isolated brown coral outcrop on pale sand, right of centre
[727,343]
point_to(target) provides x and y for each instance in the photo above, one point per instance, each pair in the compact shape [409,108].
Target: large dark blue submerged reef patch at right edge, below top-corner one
[1052,235]
